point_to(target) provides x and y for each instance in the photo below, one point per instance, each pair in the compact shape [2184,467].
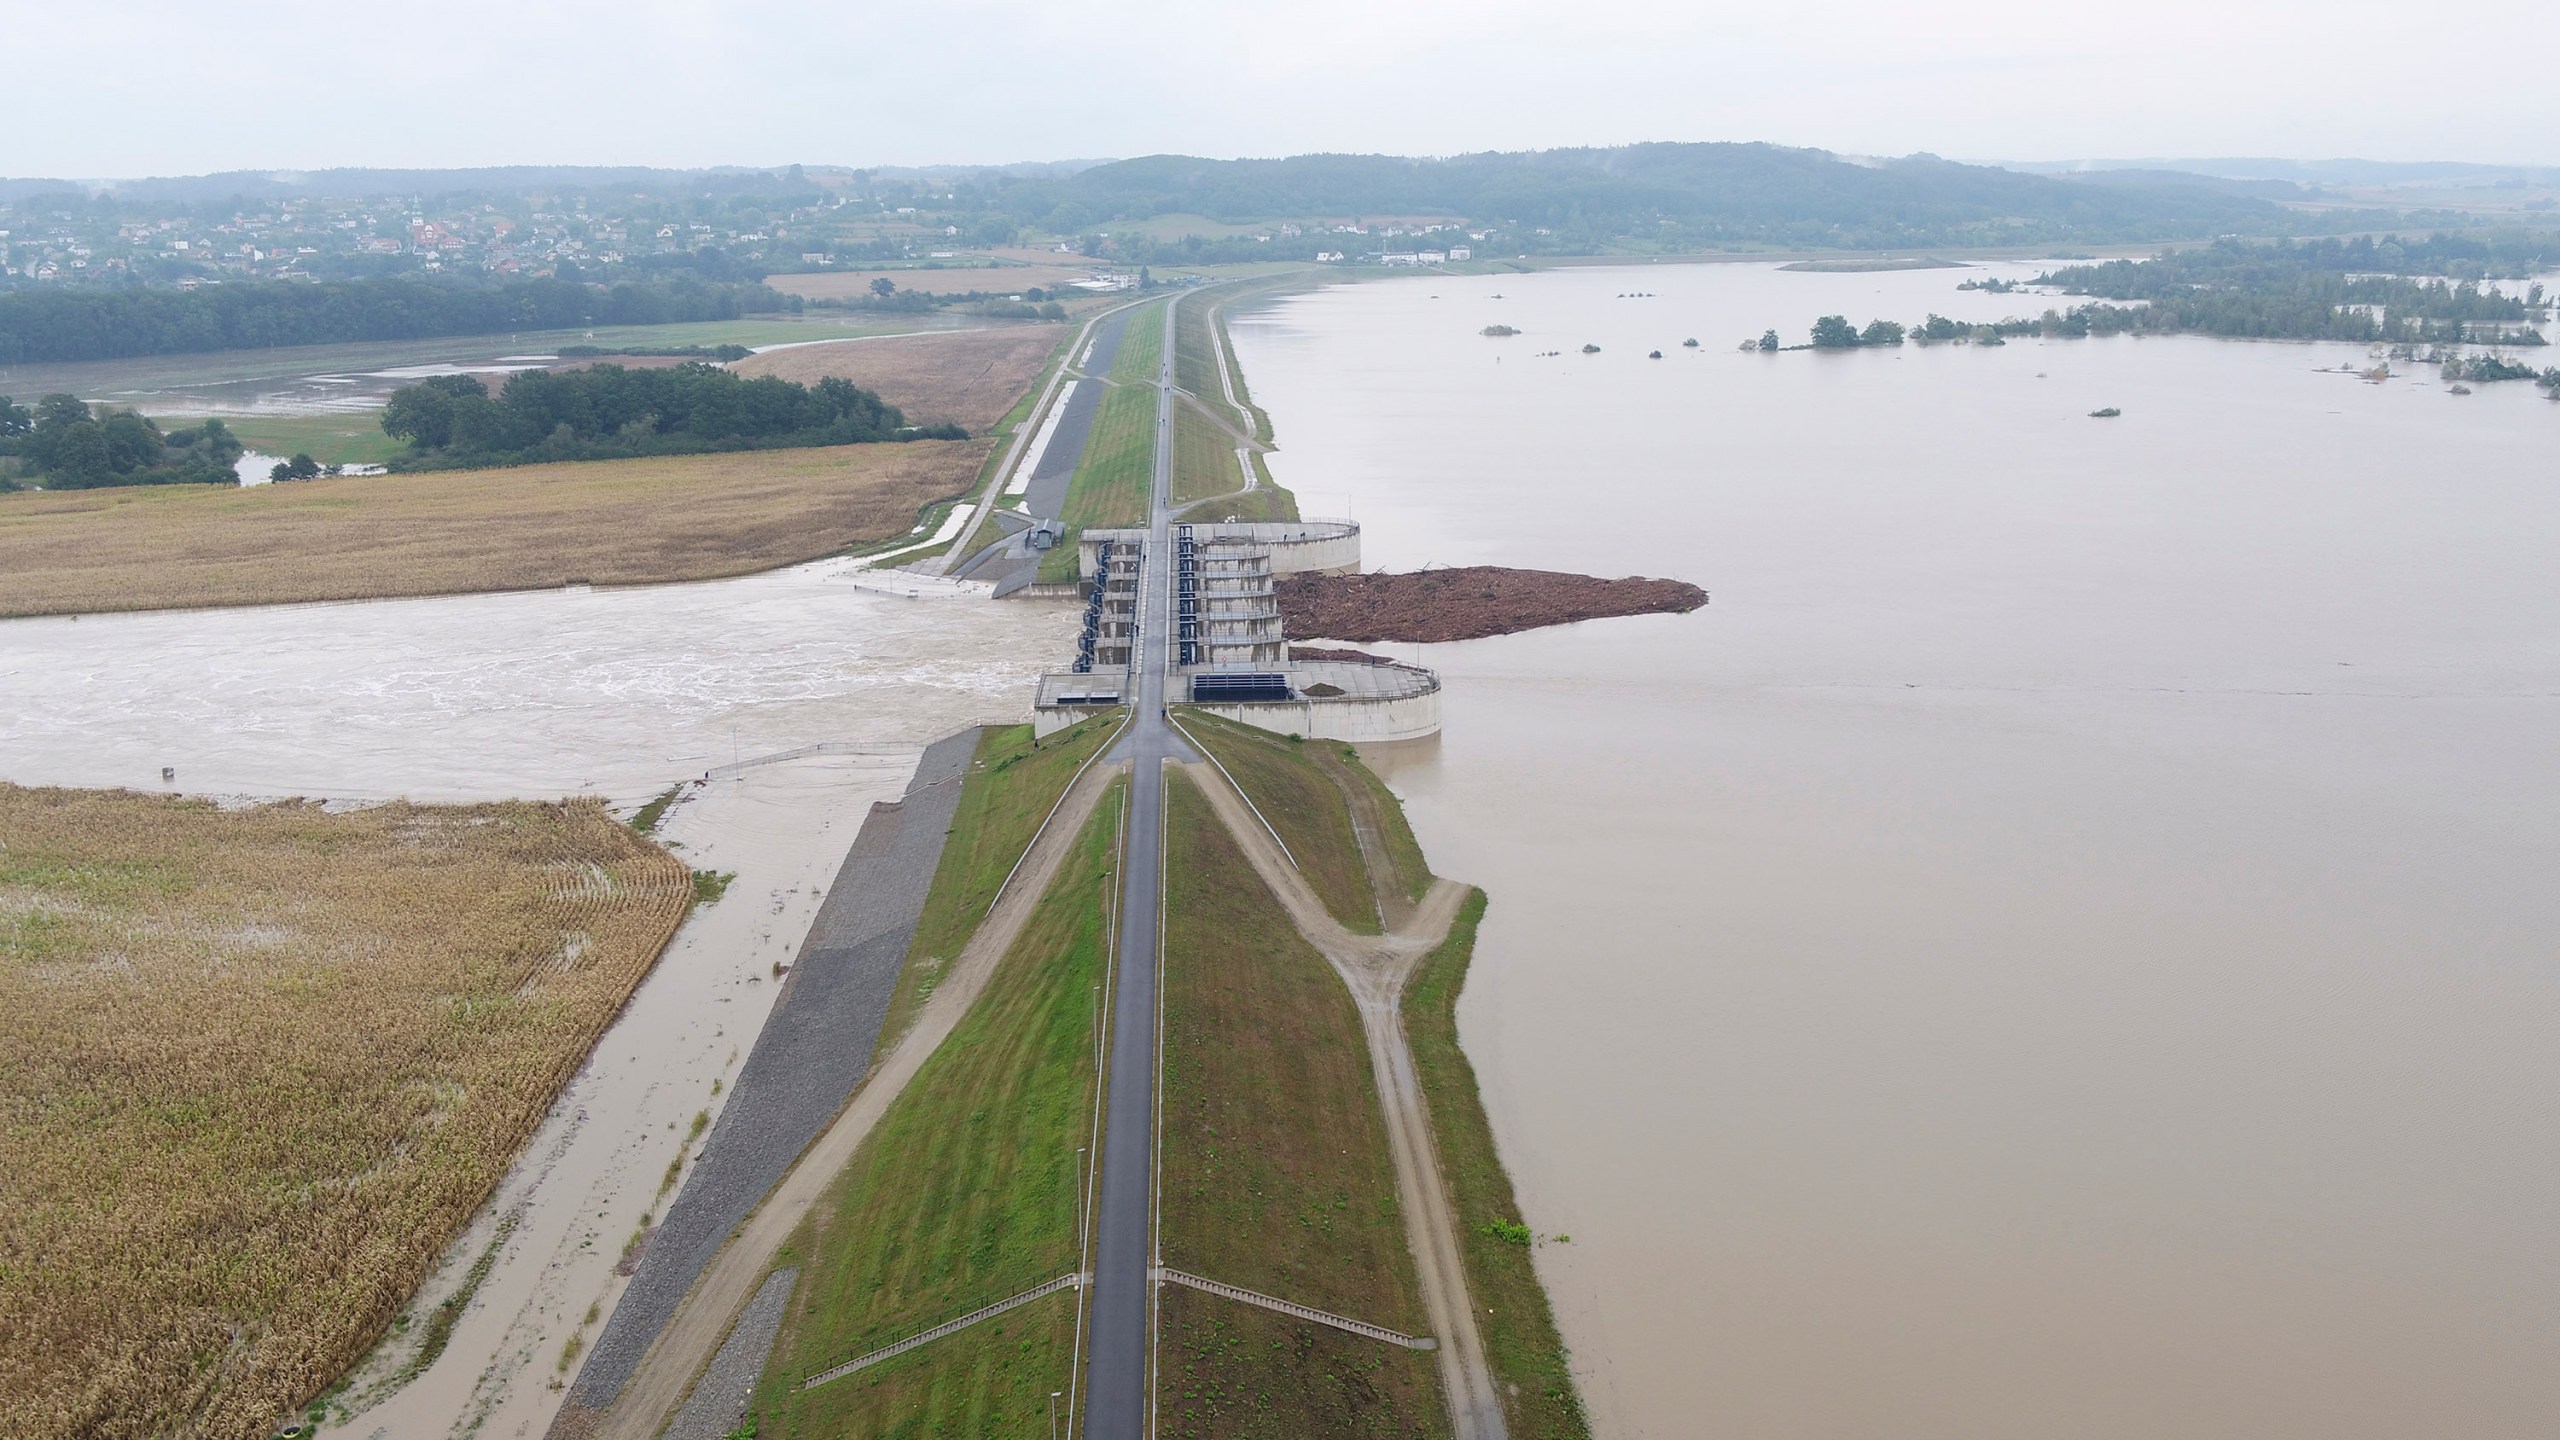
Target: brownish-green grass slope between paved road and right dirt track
[1276,1170]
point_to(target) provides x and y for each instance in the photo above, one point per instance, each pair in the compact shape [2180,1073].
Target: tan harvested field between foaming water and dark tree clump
[460,532]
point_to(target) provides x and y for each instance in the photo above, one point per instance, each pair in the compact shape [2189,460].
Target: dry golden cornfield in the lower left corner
[260,1067]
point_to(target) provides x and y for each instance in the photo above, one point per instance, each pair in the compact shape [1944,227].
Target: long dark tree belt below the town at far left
[40,327]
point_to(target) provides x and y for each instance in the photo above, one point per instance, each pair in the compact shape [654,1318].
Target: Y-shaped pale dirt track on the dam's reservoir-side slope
[1376,970]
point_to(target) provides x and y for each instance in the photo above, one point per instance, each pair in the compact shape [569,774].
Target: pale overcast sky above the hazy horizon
[180,88]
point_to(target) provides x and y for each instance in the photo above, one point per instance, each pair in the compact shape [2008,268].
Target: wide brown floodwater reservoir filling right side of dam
[2067,942]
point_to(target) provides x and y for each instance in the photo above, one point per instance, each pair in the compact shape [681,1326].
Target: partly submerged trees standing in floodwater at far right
[2292,293]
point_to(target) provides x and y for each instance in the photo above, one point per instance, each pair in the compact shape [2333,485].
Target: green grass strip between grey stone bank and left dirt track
[1010,790]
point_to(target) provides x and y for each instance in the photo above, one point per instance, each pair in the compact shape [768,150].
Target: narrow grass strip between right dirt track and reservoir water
[1522,1344]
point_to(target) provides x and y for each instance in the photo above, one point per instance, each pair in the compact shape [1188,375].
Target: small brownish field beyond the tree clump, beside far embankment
[966,378]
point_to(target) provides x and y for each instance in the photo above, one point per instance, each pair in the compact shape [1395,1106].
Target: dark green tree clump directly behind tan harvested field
[611,414]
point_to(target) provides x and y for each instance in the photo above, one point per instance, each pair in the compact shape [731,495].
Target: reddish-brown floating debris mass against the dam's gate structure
[1468,603]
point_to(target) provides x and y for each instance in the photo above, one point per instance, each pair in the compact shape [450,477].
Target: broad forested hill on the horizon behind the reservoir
[1658,196]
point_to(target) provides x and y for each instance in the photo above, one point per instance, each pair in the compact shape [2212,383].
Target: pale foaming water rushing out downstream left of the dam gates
[490,696]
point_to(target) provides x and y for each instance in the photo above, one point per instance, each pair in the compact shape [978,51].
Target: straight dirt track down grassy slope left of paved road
[662,1377]
